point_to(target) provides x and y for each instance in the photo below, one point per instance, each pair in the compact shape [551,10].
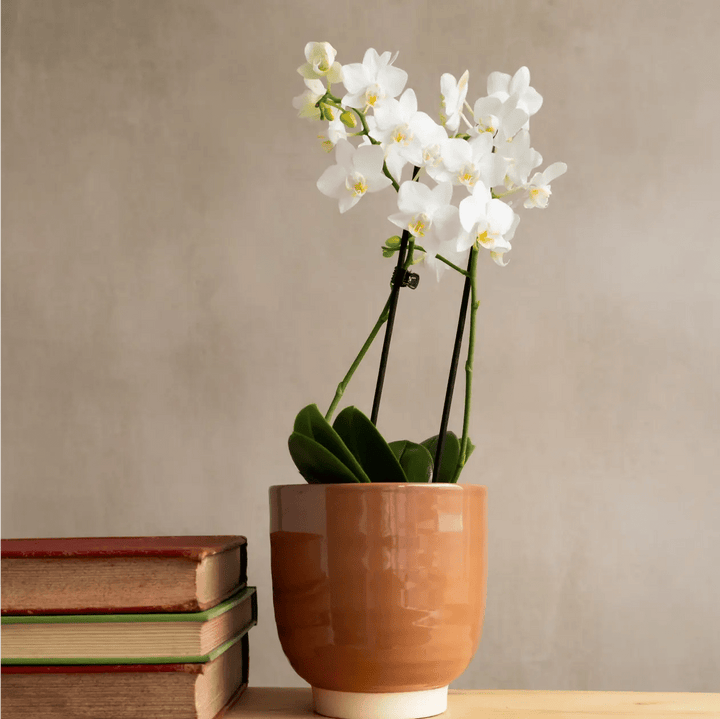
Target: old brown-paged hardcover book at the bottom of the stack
[127,691]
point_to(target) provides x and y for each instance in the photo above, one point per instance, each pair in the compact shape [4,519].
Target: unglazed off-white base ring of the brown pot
[390,705]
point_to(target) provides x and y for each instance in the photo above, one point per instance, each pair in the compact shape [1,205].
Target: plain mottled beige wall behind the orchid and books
[175,289]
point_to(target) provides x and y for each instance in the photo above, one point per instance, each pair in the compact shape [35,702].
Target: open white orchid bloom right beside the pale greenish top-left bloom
[373,81]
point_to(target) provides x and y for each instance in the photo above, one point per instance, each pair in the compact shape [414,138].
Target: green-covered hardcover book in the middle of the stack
[127,638]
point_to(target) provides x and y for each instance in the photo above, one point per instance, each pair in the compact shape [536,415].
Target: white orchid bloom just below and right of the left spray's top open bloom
[395,125]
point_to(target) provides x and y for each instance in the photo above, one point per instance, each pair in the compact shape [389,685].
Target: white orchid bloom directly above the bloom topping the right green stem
[468,162]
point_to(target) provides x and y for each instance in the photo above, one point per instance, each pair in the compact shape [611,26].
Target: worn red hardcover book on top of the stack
[96,575]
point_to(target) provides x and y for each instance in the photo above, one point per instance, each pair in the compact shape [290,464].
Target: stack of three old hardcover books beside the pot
[124,627]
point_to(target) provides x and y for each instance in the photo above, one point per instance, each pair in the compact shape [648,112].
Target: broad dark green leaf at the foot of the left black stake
[368,446]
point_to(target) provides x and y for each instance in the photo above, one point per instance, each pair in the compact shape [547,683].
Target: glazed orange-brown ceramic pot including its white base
[379,591]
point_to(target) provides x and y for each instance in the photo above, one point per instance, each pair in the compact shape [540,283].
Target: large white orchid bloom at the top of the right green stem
[486,220]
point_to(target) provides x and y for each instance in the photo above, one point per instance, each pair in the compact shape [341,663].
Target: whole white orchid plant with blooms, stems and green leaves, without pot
[480,153]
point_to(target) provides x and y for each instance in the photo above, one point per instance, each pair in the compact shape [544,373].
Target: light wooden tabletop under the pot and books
[259,702]
